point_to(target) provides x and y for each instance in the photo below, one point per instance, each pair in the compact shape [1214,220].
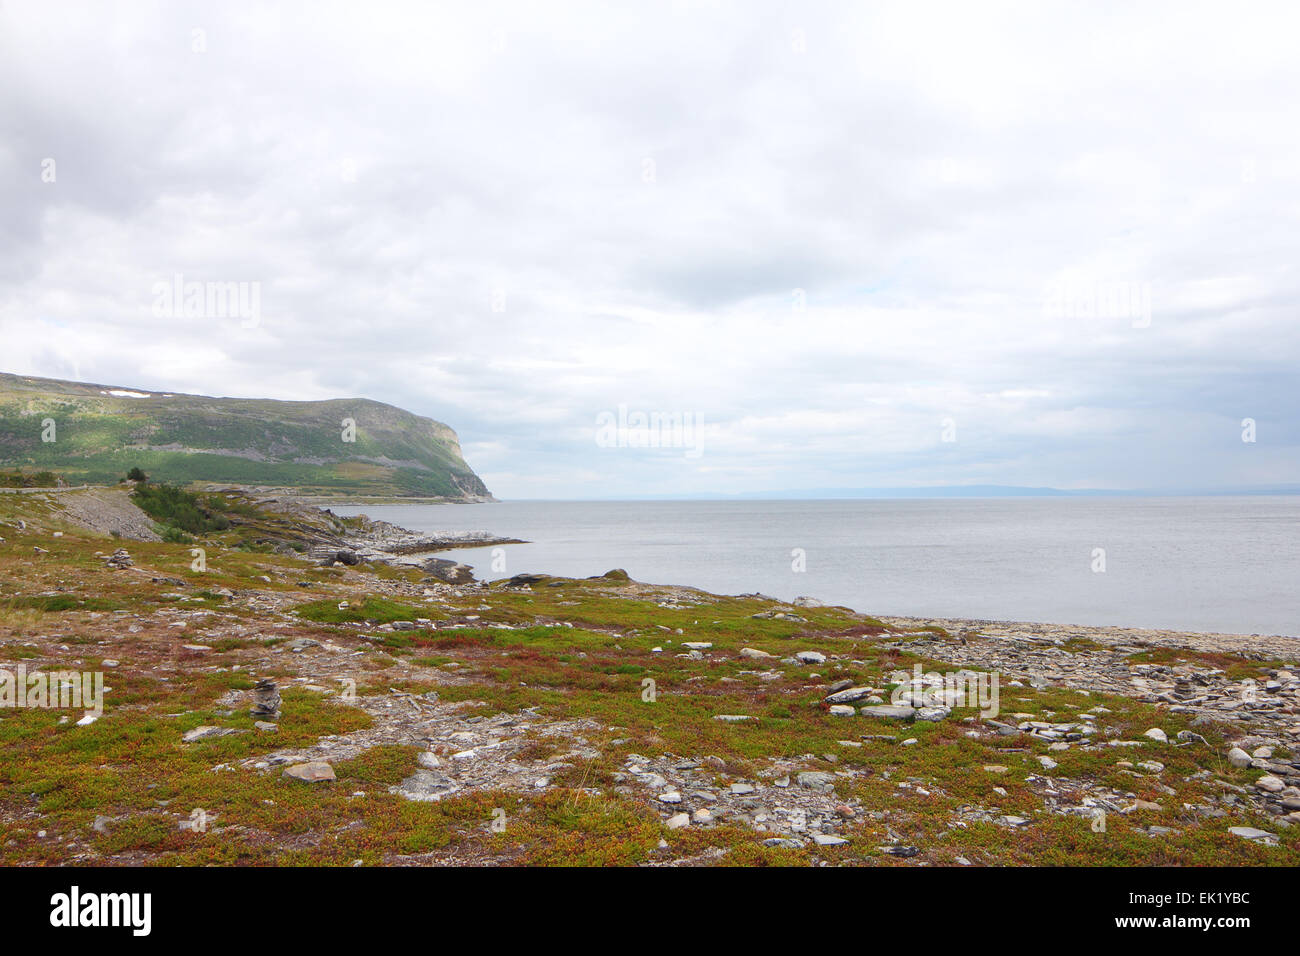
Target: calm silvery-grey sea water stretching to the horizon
[1220,564]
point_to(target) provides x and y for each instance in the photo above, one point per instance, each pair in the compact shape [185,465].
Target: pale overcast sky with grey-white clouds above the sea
[1063,237]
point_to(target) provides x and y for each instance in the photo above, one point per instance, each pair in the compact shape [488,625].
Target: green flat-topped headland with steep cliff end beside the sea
[94,434]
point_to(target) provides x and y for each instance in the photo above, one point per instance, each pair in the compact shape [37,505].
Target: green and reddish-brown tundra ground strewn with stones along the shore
[383,672]
